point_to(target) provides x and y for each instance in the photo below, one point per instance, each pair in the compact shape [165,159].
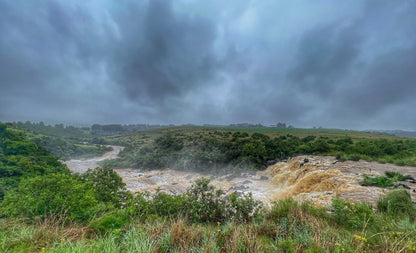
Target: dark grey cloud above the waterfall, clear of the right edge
[325,56]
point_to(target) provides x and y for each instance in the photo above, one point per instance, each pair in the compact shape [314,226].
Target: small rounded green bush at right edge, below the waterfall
[397,203]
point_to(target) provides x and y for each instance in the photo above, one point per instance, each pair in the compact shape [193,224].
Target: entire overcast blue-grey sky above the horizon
[343,64]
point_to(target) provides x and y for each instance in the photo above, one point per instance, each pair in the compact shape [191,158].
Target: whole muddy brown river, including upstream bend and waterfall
[313,178]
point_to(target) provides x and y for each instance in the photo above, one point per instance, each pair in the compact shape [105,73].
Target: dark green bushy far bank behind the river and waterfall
[193,148]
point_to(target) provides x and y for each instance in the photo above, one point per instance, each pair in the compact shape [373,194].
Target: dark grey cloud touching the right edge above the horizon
[389,80]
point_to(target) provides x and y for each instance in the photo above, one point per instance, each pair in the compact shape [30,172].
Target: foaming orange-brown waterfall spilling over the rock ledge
[320,179]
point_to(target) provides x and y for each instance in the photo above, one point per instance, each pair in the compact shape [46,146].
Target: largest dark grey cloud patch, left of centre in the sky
[164,56]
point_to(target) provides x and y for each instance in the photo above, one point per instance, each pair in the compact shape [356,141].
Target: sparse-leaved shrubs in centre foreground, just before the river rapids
[201,203]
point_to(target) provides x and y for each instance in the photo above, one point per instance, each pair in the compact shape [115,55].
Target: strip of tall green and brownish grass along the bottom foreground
[287,226]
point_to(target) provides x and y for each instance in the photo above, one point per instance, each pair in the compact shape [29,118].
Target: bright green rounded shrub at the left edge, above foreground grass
[54,194]
